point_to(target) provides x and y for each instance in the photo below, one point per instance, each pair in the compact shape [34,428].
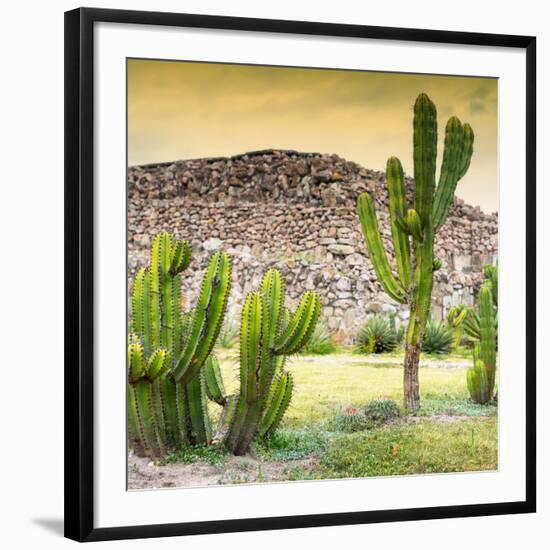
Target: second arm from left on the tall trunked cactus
[395,180]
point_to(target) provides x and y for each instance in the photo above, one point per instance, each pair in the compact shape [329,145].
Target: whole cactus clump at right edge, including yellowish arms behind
[482,327]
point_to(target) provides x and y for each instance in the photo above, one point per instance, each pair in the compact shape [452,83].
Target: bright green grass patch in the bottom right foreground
[419,448]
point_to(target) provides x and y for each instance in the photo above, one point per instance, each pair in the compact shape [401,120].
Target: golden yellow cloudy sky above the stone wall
[180,110]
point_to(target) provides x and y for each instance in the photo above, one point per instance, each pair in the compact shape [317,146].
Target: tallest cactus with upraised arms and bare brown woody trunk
[413,230]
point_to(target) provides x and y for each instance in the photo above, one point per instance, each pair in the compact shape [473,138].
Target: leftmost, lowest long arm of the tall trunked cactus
[377,254]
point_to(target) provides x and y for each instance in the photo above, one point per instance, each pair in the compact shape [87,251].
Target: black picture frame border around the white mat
[79,273]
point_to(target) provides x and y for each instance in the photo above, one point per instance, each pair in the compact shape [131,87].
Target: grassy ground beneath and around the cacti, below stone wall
[448,434]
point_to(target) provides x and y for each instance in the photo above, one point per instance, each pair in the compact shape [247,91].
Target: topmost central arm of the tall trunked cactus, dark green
[424,155]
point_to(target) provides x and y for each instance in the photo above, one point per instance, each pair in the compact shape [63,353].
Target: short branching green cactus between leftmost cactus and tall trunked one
[267,336]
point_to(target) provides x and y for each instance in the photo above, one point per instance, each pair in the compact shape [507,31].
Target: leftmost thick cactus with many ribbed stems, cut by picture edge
[170,401]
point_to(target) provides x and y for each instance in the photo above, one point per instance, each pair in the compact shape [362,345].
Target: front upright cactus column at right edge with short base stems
[481,378]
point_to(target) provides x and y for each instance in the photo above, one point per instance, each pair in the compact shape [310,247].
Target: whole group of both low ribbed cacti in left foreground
[172,372]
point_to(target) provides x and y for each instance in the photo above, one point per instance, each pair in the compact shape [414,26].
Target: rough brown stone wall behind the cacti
[296,211]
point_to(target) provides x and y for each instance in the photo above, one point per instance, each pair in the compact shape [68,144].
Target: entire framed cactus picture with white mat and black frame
[300,274]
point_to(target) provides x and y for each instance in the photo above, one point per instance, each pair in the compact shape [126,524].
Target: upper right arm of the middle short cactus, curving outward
[301,325]
